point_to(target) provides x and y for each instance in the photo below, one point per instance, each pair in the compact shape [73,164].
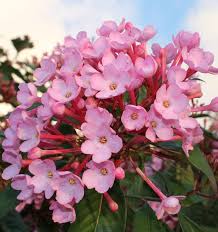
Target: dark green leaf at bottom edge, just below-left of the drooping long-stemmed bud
[146,220]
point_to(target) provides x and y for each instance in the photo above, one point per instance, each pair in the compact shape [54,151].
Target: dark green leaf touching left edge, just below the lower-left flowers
[8,201]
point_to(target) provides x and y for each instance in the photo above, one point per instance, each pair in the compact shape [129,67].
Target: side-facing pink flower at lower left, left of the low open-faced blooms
[21,182]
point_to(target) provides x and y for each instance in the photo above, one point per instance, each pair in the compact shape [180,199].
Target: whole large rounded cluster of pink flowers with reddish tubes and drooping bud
[114,96]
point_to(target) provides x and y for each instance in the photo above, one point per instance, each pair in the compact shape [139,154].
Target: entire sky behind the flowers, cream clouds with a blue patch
[48,21]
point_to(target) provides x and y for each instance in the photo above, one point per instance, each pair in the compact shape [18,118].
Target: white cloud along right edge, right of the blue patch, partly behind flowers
[203,18]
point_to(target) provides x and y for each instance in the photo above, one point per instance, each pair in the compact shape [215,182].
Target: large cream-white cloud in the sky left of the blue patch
[48,21]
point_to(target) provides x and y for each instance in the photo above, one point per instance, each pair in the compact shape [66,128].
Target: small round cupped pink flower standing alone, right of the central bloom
[133,117]
